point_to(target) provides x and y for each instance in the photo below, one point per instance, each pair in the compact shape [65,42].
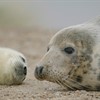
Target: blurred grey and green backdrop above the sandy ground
[47,14]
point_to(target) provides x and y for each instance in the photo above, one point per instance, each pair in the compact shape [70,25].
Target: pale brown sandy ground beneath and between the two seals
[33,45]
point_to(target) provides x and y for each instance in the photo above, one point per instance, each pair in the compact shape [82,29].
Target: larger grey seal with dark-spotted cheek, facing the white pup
[73,57]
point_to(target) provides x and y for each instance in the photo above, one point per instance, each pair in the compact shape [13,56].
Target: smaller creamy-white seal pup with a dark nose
[13,67]
